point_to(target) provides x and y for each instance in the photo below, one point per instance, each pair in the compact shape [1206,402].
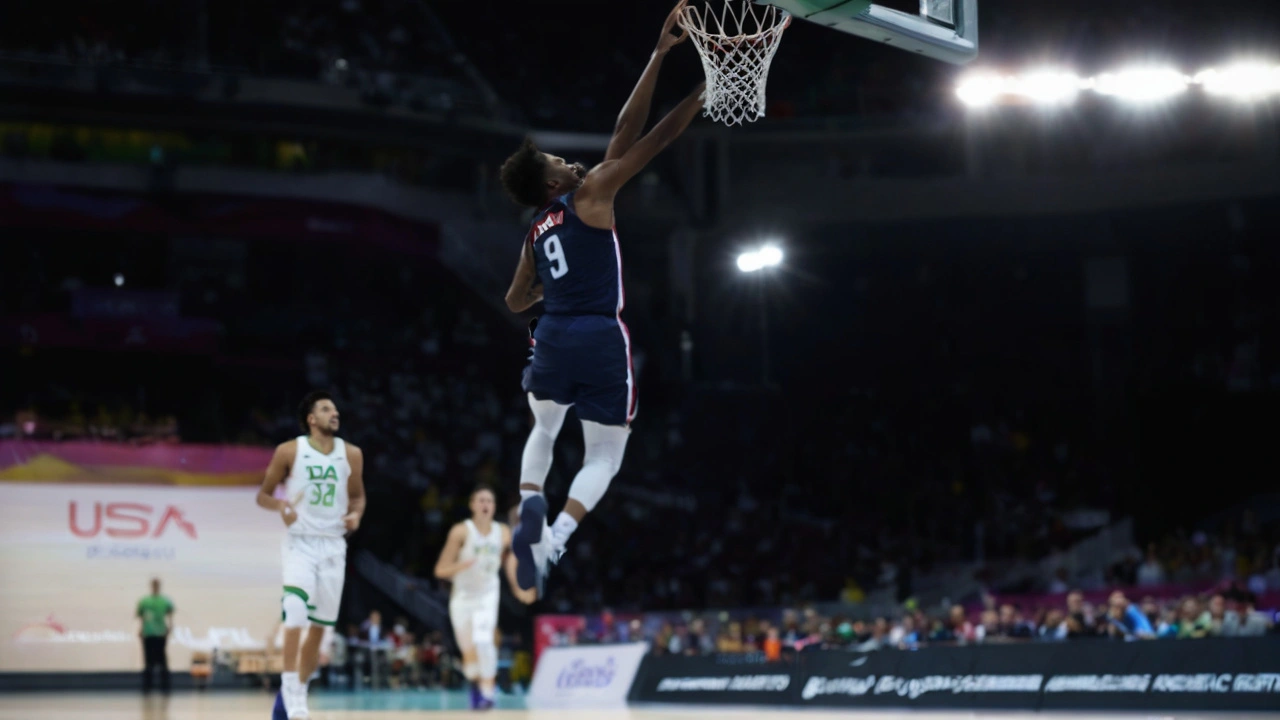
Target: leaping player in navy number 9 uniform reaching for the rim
[582,356]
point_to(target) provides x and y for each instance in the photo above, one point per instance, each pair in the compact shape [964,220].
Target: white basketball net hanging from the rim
[737,47]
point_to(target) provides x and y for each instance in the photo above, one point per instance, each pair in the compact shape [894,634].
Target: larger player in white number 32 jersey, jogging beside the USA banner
[324,500]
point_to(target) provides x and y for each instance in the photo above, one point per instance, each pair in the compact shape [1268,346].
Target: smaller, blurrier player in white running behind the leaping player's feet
[474,554]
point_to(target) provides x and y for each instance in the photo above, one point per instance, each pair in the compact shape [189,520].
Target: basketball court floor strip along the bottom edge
[438,707]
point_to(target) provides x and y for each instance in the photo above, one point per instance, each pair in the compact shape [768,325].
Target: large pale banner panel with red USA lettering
[76,559]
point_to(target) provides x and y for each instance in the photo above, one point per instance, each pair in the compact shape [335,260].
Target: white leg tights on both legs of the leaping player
[605,448]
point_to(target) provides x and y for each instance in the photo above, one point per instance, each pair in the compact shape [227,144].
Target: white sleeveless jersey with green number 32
[318,490]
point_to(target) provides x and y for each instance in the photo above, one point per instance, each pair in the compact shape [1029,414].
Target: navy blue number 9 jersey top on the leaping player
[579,267]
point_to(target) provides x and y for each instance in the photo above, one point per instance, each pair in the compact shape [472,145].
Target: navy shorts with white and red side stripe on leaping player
[586,362]
